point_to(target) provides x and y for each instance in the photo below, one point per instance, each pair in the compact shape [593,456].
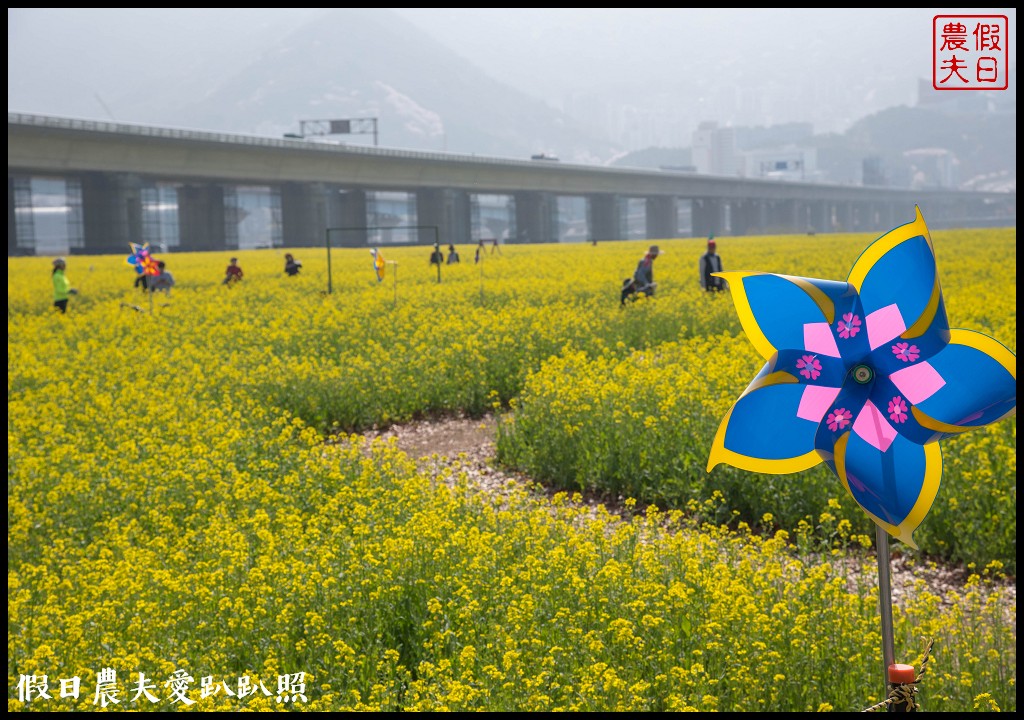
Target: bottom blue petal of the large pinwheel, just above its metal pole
[897,488]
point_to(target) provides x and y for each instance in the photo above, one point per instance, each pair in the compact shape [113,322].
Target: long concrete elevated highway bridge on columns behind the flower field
[94,188]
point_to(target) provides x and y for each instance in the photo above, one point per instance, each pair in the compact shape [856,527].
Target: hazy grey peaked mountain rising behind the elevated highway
[366,63]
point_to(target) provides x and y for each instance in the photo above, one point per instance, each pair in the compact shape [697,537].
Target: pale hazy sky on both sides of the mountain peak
[830,67]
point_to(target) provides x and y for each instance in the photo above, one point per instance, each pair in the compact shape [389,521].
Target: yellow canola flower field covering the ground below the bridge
[193,525]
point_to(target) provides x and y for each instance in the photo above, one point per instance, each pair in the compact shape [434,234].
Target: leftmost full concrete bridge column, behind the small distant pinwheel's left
[112,207]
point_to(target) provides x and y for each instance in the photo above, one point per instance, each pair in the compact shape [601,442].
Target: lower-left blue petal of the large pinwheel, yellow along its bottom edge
[772,428]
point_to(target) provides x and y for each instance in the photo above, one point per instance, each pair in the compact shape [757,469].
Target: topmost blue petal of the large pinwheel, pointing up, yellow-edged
[899,283]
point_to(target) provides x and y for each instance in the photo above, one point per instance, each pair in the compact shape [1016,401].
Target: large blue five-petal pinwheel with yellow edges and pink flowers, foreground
[865,375]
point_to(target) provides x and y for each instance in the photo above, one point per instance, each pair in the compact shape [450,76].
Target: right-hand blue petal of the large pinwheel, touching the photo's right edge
[970,384]
